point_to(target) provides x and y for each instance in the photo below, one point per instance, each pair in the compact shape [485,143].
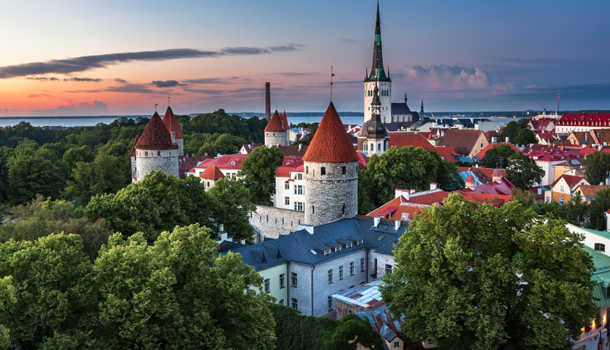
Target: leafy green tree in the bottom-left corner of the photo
[53,281]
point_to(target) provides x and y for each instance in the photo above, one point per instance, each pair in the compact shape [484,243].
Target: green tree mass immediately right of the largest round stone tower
[405,168]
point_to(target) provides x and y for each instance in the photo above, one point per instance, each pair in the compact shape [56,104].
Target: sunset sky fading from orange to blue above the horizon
[65,58]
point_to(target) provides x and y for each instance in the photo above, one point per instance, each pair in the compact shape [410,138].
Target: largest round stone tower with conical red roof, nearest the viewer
[331,173]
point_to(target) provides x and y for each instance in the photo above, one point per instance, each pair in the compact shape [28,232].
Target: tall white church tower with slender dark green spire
[378,78]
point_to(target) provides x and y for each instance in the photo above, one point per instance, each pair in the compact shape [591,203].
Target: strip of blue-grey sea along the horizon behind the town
[293,118]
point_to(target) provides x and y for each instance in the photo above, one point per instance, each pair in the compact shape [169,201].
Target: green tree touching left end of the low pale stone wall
[235,207]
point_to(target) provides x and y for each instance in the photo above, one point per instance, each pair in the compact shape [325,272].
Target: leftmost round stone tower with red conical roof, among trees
[156,151]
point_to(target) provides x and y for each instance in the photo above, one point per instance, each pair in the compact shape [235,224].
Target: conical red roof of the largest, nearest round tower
[331,143]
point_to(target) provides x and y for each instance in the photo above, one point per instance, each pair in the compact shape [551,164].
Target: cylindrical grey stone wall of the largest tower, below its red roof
[332,196]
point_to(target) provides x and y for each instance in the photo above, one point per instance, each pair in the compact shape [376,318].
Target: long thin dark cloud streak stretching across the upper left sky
[83,63]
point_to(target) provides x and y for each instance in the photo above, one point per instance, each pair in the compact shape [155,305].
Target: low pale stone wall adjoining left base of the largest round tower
[273,222]
